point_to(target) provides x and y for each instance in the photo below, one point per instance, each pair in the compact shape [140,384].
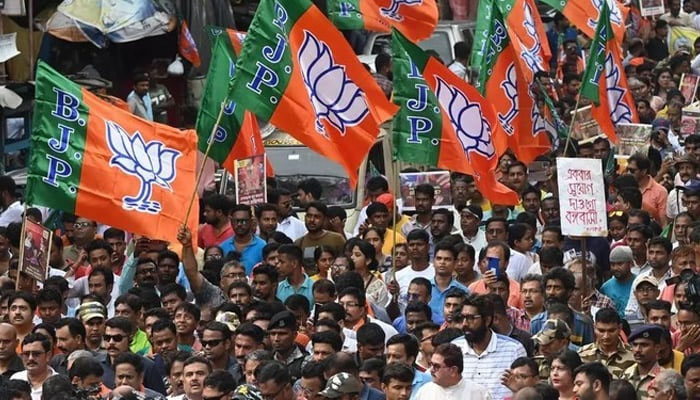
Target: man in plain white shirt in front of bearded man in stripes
[446,367]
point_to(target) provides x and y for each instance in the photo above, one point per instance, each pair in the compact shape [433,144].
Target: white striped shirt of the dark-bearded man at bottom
[487,368]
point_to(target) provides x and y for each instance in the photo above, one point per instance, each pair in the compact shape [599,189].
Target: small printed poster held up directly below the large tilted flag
[251,187]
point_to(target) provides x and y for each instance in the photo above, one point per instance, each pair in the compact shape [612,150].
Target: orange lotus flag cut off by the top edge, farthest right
[584,14]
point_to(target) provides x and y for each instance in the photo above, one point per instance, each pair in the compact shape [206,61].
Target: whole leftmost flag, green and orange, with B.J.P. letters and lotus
[95,160]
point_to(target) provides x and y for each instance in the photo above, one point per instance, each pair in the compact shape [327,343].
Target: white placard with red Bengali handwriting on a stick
[582,197]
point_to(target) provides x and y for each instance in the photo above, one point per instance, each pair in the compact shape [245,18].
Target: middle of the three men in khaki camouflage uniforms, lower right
[608,348]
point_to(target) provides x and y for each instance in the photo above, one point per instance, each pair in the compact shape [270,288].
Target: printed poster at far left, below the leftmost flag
[34,253]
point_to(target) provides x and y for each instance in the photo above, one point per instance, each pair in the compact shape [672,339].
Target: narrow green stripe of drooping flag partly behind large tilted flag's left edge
[221,70]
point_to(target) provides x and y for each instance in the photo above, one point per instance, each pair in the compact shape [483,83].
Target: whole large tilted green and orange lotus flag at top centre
[298,72]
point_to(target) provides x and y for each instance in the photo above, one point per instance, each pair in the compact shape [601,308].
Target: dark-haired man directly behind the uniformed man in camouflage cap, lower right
[559,283]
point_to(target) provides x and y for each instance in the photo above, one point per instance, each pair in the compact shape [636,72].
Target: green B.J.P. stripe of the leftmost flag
[58,141]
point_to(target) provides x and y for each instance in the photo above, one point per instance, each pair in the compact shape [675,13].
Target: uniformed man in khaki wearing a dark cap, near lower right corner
[645,341]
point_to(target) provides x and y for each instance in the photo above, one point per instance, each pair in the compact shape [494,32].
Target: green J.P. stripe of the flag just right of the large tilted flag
[417,127]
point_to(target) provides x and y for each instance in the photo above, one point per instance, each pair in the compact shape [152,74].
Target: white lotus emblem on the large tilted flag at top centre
[334,97]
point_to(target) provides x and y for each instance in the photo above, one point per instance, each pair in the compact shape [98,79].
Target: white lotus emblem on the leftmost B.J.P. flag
[152,163]
